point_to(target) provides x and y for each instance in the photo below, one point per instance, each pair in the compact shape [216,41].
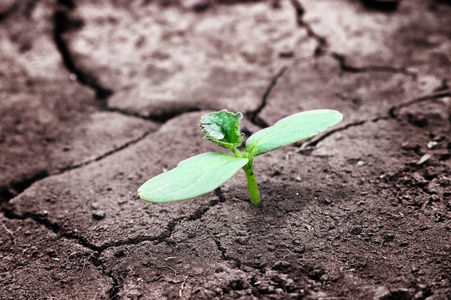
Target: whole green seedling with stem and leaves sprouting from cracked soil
[204,173]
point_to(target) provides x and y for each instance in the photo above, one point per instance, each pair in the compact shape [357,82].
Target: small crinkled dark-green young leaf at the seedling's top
[222,128]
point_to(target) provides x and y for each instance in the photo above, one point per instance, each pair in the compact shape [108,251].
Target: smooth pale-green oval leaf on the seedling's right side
[291,129]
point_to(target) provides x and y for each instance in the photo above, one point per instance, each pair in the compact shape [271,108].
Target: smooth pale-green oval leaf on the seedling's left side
[192,177]
